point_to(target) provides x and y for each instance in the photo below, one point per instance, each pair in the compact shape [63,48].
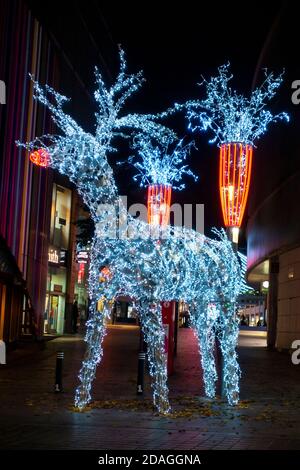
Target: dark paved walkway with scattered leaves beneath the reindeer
[33,417]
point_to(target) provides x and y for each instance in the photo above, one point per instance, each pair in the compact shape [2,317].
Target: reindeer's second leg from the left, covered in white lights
[151,323]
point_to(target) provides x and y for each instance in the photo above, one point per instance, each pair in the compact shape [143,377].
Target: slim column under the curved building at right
[272,302]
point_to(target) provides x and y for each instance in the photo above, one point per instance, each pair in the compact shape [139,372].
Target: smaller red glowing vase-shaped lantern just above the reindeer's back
[159,201]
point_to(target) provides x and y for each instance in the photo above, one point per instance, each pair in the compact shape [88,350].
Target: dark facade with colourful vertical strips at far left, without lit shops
[24,191]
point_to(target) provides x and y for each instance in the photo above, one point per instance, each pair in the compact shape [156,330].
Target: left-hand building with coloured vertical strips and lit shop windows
[38,207]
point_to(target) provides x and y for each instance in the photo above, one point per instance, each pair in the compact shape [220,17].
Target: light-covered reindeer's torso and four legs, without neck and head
[172,264]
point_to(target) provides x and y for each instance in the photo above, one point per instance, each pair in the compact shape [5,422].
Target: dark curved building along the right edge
[273,231]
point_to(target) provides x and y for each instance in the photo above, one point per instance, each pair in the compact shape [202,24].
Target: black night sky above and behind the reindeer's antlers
[174,43]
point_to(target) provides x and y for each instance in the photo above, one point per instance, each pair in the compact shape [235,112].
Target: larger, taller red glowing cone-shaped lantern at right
[234,181]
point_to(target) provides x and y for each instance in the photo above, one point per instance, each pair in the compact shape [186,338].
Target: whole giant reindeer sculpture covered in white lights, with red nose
[173,264]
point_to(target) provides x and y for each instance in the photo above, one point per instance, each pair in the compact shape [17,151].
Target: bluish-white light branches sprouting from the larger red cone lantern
[232,117]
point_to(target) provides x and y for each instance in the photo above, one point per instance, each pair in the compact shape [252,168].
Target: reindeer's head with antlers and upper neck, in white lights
[83,156]
